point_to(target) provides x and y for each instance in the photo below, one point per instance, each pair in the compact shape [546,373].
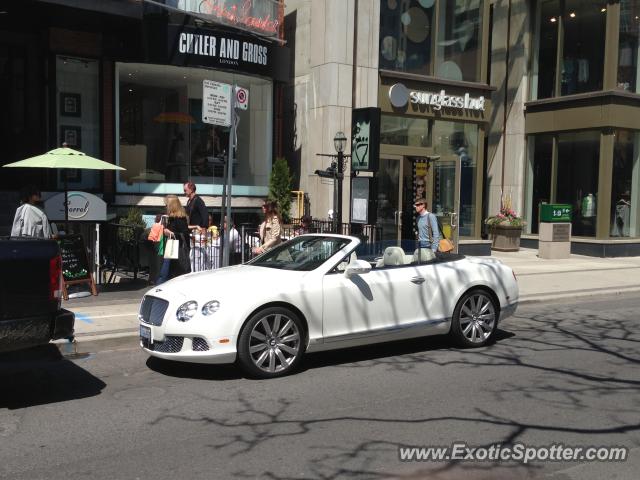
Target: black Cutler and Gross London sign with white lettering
[218,49]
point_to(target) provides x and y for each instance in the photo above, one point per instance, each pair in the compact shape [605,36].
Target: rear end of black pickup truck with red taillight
[31,294]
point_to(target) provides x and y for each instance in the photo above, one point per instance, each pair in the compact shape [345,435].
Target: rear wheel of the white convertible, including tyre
[475,319]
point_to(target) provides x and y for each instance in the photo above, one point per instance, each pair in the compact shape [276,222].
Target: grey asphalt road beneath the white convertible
[558,373]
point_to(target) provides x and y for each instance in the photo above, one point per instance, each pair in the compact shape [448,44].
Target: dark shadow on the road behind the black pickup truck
[41,375]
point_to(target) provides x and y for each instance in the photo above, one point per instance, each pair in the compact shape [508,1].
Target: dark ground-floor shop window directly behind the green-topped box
[578,163]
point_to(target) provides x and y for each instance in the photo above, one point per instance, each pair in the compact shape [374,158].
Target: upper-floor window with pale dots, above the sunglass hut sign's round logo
[405,35]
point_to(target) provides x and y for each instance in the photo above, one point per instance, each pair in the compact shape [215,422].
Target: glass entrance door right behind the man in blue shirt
[445,195]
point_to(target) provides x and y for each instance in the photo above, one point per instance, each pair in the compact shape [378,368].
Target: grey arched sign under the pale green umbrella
[81,207]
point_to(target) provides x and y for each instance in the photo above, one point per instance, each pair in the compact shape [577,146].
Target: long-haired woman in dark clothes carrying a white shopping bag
[176,241]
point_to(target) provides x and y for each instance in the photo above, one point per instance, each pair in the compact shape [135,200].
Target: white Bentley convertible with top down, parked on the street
[311,293]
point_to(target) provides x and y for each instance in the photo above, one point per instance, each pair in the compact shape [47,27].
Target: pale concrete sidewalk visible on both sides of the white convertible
[111,320]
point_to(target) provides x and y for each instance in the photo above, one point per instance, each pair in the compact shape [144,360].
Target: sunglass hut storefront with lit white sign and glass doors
[432,137]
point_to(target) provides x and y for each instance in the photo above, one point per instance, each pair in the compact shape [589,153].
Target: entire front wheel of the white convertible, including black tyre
[271,343]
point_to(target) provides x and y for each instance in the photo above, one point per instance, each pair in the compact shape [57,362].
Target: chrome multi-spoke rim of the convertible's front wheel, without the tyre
[274,343]
